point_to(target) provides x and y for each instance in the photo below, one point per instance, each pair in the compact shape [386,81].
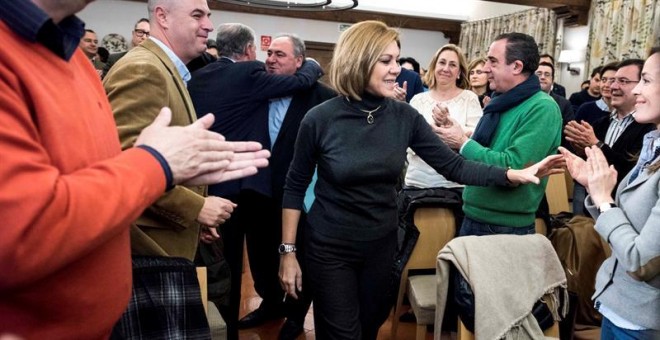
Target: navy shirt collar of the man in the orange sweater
[34,25]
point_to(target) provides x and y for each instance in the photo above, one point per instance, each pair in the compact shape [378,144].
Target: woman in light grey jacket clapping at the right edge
[628,283]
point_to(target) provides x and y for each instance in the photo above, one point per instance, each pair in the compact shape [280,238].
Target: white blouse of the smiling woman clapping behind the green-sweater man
[465,109]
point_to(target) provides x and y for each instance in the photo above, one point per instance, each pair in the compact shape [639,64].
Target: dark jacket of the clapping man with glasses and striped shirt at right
[623,154]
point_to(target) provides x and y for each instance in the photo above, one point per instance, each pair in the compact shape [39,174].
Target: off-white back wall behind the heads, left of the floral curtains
[117,16]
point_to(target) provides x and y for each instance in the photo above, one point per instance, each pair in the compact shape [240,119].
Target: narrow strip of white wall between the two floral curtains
[575,38]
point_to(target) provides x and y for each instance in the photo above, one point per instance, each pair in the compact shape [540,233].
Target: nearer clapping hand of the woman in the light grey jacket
[601,176]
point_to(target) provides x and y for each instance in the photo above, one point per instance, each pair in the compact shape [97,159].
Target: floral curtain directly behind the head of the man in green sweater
[540,23]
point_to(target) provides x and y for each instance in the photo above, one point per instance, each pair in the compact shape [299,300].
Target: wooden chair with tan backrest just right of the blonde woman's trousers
[436,227]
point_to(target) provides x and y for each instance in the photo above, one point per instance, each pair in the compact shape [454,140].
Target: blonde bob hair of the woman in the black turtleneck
[356,53]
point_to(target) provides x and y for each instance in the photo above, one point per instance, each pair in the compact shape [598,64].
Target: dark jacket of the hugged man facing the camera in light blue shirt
[282,151]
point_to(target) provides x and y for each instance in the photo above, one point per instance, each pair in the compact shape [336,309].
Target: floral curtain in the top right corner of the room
[622,29]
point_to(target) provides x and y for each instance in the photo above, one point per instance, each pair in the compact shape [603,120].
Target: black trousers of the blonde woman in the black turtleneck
[351,284]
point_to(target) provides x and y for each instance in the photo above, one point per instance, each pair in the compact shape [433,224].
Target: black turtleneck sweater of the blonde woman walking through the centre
[359,163]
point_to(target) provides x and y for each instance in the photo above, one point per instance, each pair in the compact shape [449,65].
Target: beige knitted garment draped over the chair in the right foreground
[508,274]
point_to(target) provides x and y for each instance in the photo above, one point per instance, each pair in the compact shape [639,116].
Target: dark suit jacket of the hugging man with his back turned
[237,94]
